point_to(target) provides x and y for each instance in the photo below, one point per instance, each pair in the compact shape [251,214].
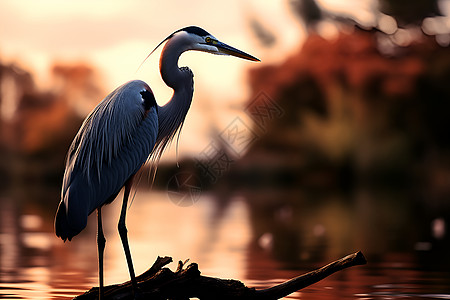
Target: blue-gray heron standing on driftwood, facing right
[124,131]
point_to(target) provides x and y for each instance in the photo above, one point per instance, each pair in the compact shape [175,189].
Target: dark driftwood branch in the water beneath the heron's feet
[159,282]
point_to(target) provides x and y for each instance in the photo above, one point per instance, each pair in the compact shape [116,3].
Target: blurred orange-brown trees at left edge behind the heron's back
[36,126]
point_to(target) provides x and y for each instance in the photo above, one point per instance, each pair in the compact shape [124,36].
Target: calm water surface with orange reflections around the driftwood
[256,238]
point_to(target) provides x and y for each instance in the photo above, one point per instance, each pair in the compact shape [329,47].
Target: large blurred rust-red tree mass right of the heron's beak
[348,107]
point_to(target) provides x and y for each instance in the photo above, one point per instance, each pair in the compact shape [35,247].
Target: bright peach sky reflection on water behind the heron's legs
[157,227]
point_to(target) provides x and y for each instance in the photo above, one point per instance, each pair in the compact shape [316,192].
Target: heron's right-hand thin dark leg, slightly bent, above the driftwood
[123,233]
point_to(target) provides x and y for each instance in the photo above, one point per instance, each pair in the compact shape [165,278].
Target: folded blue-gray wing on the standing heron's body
[113,143]
